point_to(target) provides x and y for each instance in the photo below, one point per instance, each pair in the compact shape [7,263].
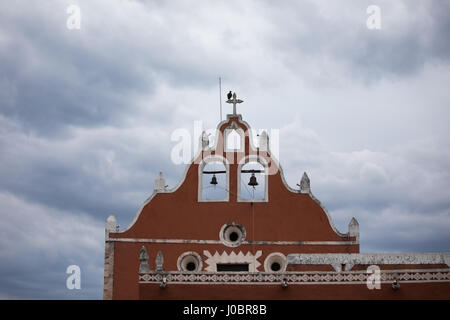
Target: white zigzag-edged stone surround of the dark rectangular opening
[213,259]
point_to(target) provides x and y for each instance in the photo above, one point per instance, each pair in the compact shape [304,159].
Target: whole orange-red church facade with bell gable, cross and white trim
[233,229]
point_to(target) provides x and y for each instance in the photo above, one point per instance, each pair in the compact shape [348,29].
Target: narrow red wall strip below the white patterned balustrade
[296,292]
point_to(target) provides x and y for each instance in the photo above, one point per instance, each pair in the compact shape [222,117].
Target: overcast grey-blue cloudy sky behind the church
[86,117]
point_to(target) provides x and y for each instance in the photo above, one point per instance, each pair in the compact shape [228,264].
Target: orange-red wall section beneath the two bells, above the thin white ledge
[286,217]
